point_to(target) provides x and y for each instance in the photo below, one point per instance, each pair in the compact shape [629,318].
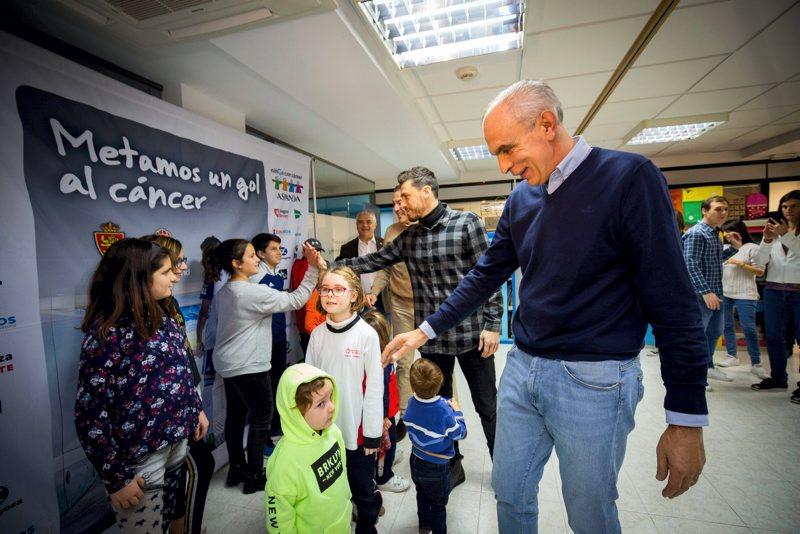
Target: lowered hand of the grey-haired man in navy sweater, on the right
[681,454]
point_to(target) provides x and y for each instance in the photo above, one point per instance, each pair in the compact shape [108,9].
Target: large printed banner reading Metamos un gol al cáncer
[88,161]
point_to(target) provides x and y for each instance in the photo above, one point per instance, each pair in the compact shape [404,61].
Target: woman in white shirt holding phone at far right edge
[780,252]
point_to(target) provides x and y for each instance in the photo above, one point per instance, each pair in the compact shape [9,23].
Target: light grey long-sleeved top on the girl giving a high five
[244,323]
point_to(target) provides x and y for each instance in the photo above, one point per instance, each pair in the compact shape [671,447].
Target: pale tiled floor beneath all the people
[751,482]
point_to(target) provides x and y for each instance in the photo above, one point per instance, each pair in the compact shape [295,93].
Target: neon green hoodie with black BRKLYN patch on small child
[307,489]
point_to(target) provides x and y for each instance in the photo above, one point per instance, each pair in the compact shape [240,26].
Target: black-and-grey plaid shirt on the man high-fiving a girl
[437,259]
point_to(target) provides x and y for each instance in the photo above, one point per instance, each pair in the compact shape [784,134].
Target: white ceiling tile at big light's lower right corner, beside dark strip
[581,50]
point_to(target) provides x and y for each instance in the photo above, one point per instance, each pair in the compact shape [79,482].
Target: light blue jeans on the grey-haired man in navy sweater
[583,409]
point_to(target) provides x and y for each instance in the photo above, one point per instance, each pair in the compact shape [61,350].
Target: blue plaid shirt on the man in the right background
[703,254]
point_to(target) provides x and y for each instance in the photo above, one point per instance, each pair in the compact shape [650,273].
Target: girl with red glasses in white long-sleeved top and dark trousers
[348,349]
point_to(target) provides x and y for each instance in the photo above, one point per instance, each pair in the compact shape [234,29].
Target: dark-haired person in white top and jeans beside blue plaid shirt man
[740,293]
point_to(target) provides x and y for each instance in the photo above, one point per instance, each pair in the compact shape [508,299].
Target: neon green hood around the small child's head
[294,425]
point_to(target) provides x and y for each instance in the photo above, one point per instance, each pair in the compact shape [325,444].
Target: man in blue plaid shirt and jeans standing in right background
[702,251]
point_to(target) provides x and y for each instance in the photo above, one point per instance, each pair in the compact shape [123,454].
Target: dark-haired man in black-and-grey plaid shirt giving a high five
[439,252]
